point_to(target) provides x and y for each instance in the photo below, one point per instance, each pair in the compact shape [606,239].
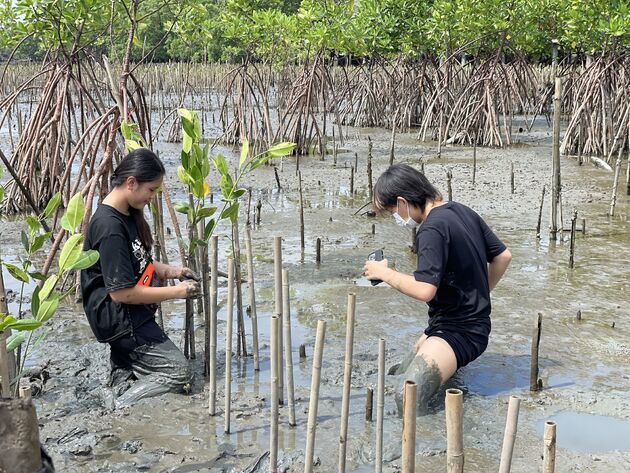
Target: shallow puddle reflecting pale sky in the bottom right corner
[589,433]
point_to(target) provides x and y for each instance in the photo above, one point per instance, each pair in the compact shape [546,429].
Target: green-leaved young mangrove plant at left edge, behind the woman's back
[44,299]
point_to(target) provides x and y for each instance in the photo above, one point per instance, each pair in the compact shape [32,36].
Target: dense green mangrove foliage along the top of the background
[290,30]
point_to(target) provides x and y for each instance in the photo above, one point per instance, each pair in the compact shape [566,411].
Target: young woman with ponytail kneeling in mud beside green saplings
[121,291]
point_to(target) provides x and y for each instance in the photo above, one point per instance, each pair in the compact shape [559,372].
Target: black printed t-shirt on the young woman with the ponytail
[122,261]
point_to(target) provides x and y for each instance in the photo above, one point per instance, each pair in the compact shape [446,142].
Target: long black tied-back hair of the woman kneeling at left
[145,166]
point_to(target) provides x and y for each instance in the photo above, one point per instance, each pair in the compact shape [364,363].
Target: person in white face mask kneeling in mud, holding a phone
[460,260]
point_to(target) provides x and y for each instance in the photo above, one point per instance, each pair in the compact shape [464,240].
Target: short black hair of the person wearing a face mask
[401,180]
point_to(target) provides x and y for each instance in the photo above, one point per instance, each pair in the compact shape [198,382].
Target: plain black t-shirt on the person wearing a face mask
[454,246]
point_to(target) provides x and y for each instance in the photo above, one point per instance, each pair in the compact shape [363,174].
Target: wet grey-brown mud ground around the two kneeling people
[585,365]
